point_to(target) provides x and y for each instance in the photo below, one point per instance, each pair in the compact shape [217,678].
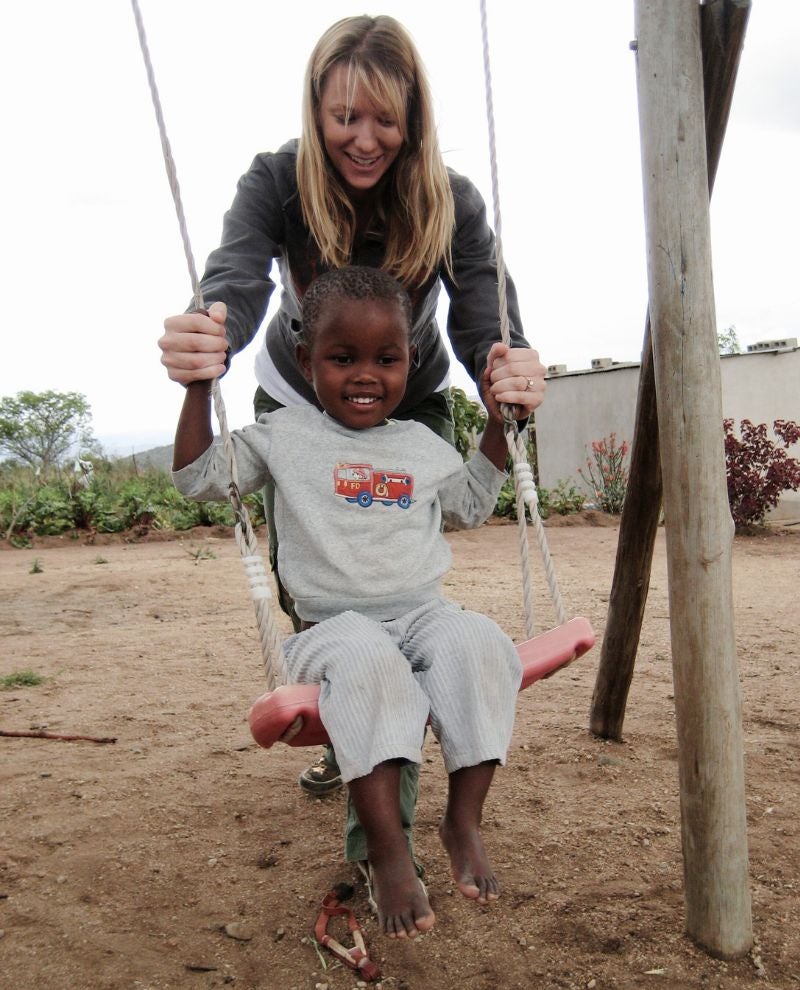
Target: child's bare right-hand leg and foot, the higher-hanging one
[460,832]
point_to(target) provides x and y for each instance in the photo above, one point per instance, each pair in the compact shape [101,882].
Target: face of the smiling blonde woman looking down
[362,143]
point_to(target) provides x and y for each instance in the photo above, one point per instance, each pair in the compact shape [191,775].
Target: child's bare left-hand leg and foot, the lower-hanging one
[403,907]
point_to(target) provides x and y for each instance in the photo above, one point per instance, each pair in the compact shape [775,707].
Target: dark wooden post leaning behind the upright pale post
[723,24]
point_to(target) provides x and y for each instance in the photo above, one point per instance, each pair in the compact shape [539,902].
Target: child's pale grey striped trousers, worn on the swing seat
[381,681]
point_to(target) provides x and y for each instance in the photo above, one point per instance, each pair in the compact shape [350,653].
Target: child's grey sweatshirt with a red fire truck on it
[358,512]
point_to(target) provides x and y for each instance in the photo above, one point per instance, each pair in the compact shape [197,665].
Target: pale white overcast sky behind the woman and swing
[91,252]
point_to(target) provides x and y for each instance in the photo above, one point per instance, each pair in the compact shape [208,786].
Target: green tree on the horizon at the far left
[41,428]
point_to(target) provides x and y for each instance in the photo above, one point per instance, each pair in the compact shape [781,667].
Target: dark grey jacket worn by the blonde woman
[265,223]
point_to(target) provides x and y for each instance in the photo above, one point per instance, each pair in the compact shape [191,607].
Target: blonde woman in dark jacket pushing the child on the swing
[365,184]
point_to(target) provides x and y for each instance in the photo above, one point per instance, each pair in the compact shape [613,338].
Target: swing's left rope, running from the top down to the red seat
[245,536]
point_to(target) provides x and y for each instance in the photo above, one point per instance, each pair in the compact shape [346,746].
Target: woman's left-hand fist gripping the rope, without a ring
[194,346]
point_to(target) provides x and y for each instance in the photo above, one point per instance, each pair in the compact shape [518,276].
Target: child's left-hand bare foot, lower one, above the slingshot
[403,907]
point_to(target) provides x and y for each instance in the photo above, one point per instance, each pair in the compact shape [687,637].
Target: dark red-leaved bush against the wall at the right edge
[758,469]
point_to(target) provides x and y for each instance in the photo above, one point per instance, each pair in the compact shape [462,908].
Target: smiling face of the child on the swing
[359,359]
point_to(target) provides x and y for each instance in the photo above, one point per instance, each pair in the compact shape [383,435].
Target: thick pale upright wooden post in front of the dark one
[699,528]
